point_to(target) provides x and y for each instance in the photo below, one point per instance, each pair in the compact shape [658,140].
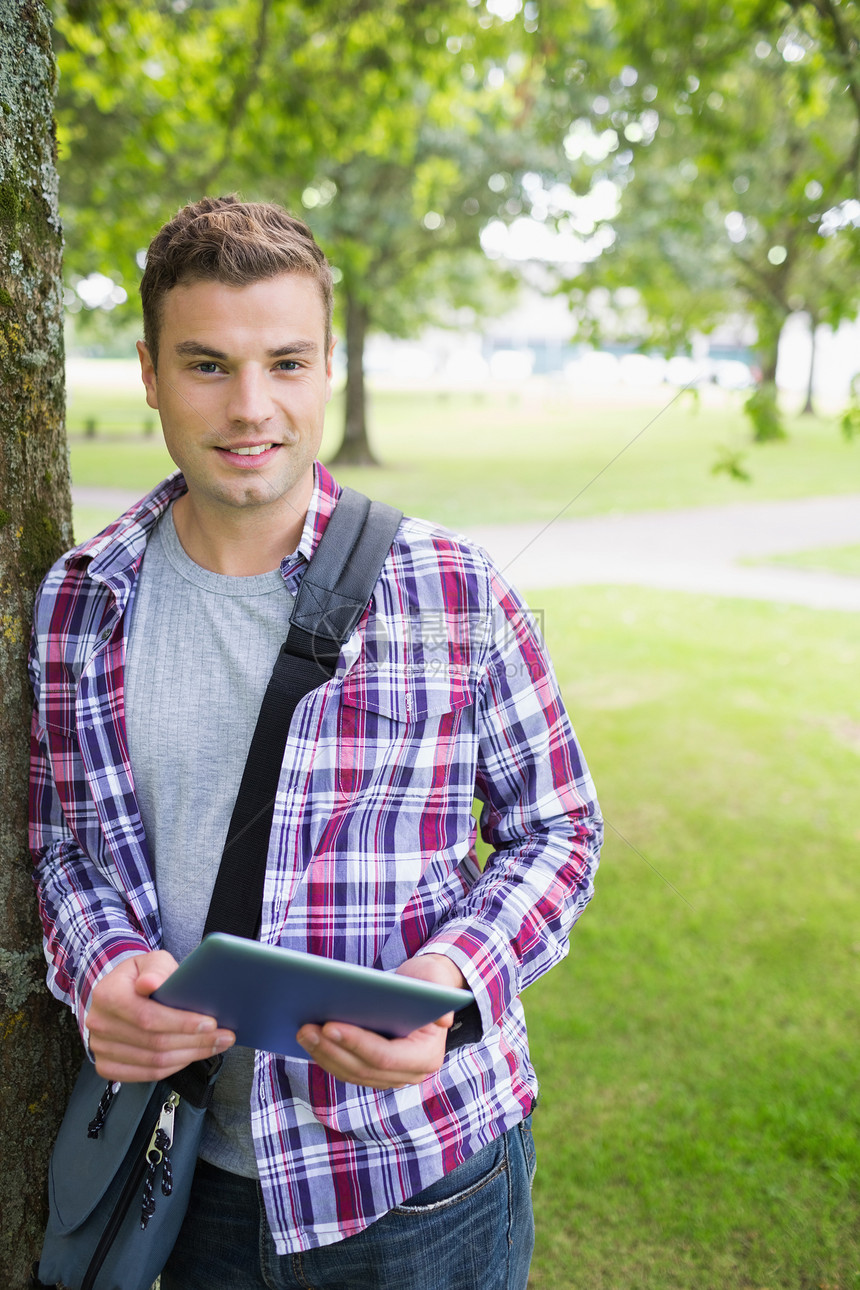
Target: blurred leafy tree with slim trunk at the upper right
[733,136]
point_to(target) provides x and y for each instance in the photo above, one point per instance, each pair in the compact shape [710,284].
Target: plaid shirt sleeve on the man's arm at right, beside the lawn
[540,815]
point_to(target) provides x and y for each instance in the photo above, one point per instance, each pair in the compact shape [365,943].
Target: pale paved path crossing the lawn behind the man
[693,550]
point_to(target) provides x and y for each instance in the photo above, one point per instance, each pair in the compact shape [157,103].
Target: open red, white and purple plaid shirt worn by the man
[443,693]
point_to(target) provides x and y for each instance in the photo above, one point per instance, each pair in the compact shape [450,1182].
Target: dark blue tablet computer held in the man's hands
[266,994]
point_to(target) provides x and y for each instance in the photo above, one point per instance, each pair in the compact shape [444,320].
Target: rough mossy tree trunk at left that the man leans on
[41,1047]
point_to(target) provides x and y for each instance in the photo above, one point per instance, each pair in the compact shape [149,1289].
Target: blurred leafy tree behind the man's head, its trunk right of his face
[384,122]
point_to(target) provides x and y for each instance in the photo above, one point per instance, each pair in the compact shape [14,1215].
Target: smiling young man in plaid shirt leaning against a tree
[377,1163]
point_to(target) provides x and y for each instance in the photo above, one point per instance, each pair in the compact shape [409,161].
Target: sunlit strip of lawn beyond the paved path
[467,460]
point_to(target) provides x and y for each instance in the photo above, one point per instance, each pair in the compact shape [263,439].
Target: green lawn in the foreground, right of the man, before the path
[701,1115]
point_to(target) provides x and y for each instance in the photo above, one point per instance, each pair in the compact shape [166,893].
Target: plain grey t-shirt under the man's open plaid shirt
[200,652]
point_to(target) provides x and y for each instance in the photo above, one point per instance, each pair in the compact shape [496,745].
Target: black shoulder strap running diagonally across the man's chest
[335,594]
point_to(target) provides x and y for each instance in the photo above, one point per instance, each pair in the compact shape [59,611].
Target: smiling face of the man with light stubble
[242,389]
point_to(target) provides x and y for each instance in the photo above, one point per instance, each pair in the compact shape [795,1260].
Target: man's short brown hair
[233,242]
